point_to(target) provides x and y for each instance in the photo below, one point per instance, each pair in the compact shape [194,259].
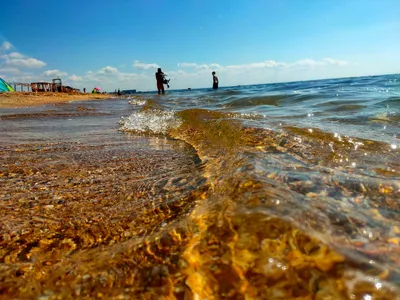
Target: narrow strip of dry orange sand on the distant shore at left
[24,99]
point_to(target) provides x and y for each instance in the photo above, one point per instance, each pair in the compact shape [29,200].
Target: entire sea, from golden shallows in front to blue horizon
[269,191]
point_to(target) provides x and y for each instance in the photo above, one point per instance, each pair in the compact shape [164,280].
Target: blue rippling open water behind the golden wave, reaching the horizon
[365,107]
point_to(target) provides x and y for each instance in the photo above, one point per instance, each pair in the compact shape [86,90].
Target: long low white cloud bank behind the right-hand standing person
[191,74]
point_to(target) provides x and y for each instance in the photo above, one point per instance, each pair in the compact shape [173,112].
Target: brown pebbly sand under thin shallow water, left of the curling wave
[70,212]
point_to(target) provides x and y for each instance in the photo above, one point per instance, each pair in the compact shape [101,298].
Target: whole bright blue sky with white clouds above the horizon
[120,44]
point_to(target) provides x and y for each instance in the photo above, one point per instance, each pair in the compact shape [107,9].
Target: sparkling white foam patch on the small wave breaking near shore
[153,121]
